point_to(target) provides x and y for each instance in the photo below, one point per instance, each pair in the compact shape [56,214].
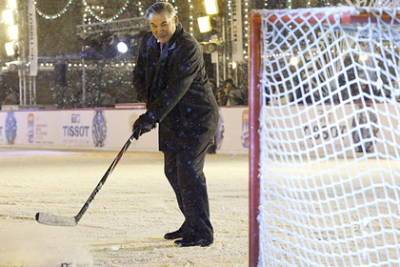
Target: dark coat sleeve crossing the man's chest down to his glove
[185,69]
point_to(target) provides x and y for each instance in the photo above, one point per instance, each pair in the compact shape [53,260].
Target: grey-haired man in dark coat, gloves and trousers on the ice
[171,77]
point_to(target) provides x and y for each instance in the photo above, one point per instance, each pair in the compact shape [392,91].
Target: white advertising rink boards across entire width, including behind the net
[312,130]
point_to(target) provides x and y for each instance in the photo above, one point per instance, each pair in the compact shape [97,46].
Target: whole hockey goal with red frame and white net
[325,137]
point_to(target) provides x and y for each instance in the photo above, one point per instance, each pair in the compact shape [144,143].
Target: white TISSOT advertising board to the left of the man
[90,129]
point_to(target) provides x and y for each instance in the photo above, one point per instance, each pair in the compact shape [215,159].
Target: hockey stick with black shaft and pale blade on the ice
[50,219]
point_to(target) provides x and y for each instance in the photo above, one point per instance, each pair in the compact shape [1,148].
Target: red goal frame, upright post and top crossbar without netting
[257,101]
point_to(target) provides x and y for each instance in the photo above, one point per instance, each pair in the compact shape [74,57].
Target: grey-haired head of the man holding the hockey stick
[162,18]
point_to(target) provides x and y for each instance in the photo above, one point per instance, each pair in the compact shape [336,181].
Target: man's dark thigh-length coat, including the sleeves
[174,85]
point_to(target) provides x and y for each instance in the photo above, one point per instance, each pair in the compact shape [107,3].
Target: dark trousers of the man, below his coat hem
[184,171]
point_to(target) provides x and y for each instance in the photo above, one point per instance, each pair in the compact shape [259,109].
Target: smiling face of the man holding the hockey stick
[163,26]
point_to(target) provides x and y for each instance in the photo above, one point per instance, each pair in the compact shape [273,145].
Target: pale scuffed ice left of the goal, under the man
[125,223]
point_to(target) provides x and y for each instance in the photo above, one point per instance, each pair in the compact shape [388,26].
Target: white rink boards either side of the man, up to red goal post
[106,129]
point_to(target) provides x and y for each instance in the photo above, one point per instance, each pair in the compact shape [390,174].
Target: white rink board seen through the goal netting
[328,130]
